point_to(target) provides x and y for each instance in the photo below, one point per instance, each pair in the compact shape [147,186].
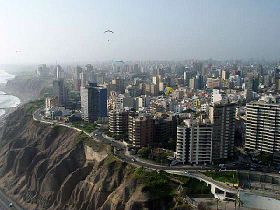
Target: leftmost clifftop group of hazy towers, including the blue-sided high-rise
[91,98]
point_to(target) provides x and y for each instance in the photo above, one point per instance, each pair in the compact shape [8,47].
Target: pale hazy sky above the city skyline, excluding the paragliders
[72,30]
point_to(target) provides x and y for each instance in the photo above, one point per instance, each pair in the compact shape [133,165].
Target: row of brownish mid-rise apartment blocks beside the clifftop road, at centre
[143,129]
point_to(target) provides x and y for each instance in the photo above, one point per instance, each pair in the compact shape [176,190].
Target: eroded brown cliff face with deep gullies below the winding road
[45,167]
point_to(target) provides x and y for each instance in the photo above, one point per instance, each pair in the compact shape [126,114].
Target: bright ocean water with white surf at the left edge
[6,101]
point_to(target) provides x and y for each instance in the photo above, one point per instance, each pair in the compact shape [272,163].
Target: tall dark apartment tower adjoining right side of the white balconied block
[222,116]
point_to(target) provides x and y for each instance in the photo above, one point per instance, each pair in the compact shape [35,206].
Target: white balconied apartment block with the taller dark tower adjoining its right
[206,138]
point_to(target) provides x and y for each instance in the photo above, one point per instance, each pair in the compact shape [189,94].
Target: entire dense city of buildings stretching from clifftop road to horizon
[207,108]
